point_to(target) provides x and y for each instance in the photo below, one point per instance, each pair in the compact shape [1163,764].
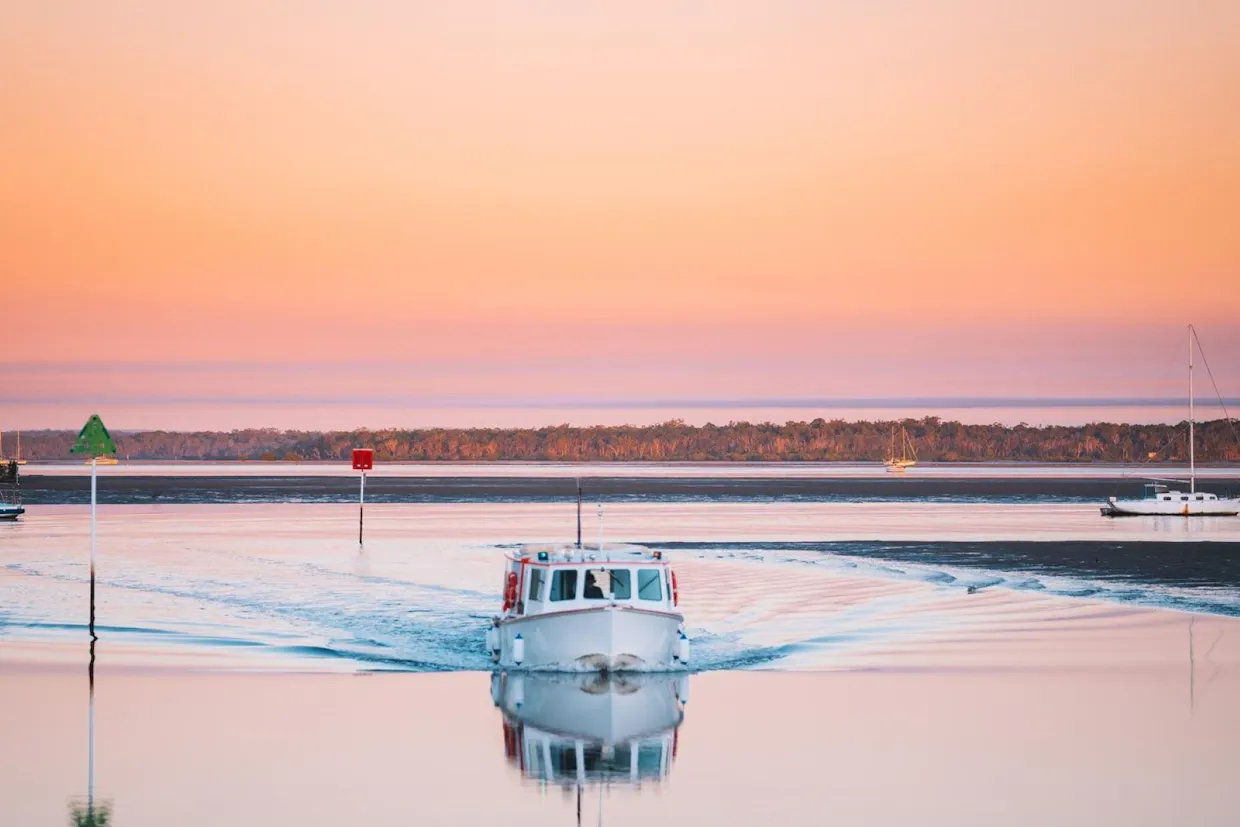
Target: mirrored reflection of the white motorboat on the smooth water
[585,730]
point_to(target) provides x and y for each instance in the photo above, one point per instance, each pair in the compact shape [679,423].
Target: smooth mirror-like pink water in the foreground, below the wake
[1094,747]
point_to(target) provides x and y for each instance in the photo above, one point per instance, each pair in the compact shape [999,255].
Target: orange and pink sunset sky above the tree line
[337,215]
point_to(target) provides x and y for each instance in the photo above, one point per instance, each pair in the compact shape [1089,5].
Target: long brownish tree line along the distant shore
[934,441]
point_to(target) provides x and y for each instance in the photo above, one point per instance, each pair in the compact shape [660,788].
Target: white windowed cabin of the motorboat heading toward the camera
[542,580]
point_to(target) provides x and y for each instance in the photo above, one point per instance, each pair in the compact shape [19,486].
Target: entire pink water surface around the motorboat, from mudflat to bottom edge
[254,668]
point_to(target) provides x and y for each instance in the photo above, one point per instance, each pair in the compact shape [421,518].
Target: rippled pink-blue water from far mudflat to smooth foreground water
[773,586]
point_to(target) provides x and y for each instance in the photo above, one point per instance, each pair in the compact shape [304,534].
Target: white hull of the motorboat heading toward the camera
[609,638]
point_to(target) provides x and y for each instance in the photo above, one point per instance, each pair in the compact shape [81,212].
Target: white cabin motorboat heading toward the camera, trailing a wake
[581,608]
